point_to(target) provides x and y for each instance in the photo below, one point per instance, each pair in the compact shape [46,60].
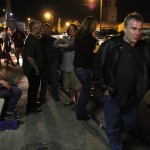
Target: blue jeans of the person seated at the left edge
[12,97]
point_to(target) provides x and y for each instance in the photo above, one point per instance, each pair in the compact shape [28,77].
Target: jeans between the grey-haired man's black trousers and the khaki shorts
[53,67]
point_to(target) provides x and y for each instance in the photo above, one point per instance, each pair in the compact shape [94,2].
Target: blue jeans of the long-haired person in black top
[85,79]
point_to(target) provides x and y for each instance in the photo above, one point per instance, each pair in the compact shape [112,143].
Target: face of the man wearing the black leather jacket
[133,31]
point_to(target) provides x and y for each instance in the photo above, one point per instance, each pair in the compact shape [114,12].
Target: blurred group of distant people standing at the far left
[7,38]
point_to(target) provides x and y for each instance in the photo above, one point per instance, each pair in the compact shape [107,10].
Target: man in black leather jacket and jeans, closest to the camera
[122,70]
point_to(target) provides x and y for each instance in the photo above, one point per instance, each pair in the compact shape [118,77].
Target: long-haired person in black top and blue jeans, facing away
[84,44]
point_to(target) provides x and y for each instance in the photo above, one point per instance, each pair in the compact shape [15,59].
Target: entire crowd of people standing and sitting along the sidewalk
[120,69]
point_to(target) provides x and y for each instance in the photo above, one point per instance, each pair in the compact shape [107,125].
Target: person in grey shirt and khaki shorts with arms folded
[70,80]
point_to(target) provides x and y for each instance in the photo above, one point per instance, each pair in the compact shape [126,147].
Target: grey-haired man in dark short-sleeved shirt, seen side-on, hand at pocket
[32,64]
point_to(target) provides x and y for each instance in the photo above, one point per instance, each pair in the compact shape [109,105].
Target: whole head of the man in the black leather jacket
[133,25]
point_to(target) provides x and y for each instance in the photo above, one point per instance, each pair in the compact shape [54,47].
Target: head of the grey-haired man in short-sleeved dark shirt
[35,27]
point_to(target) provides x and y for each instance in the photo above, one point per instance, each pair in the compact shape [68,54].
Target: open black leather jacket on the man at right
[107,58]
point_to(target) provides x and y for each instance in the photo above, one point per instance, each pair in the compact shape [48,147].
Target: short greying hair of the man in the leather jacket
[133,15]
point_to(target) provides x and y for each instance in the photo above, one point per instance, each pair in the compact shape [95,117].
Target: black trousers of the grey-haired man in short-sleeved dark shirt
[34,82]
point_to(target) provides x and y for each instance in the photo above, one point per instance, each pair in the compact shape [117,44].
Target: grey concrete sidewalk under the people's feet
[56,127]
